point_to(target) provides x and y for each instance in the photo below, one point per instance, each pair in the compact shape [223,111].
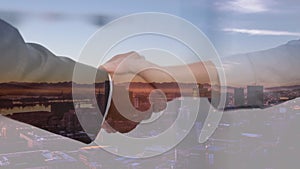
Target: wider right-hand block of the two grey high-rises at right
[255,96]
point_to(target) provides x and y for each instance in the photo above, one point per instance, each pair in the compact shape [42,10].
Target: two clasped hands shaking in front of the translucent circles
[134,103]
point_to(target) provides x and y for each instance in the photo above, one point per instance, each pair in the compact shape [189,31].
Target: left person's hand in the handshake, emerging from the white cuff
[123,115]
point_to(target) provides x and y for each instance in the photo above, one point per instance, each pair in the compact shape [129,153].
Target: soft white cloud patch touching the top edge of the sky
[244,6]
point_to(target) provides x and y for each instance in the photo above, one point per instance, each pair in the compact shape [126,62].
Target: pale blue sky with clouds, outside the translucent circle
[233,26]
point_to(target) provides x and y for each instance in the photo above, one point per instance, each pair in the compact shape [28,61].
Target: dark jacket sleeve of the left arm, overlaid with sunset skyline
[39,77]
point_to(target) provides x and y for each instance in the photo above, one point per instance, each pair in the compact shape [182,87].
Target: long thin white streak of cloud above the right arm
[262,32]
